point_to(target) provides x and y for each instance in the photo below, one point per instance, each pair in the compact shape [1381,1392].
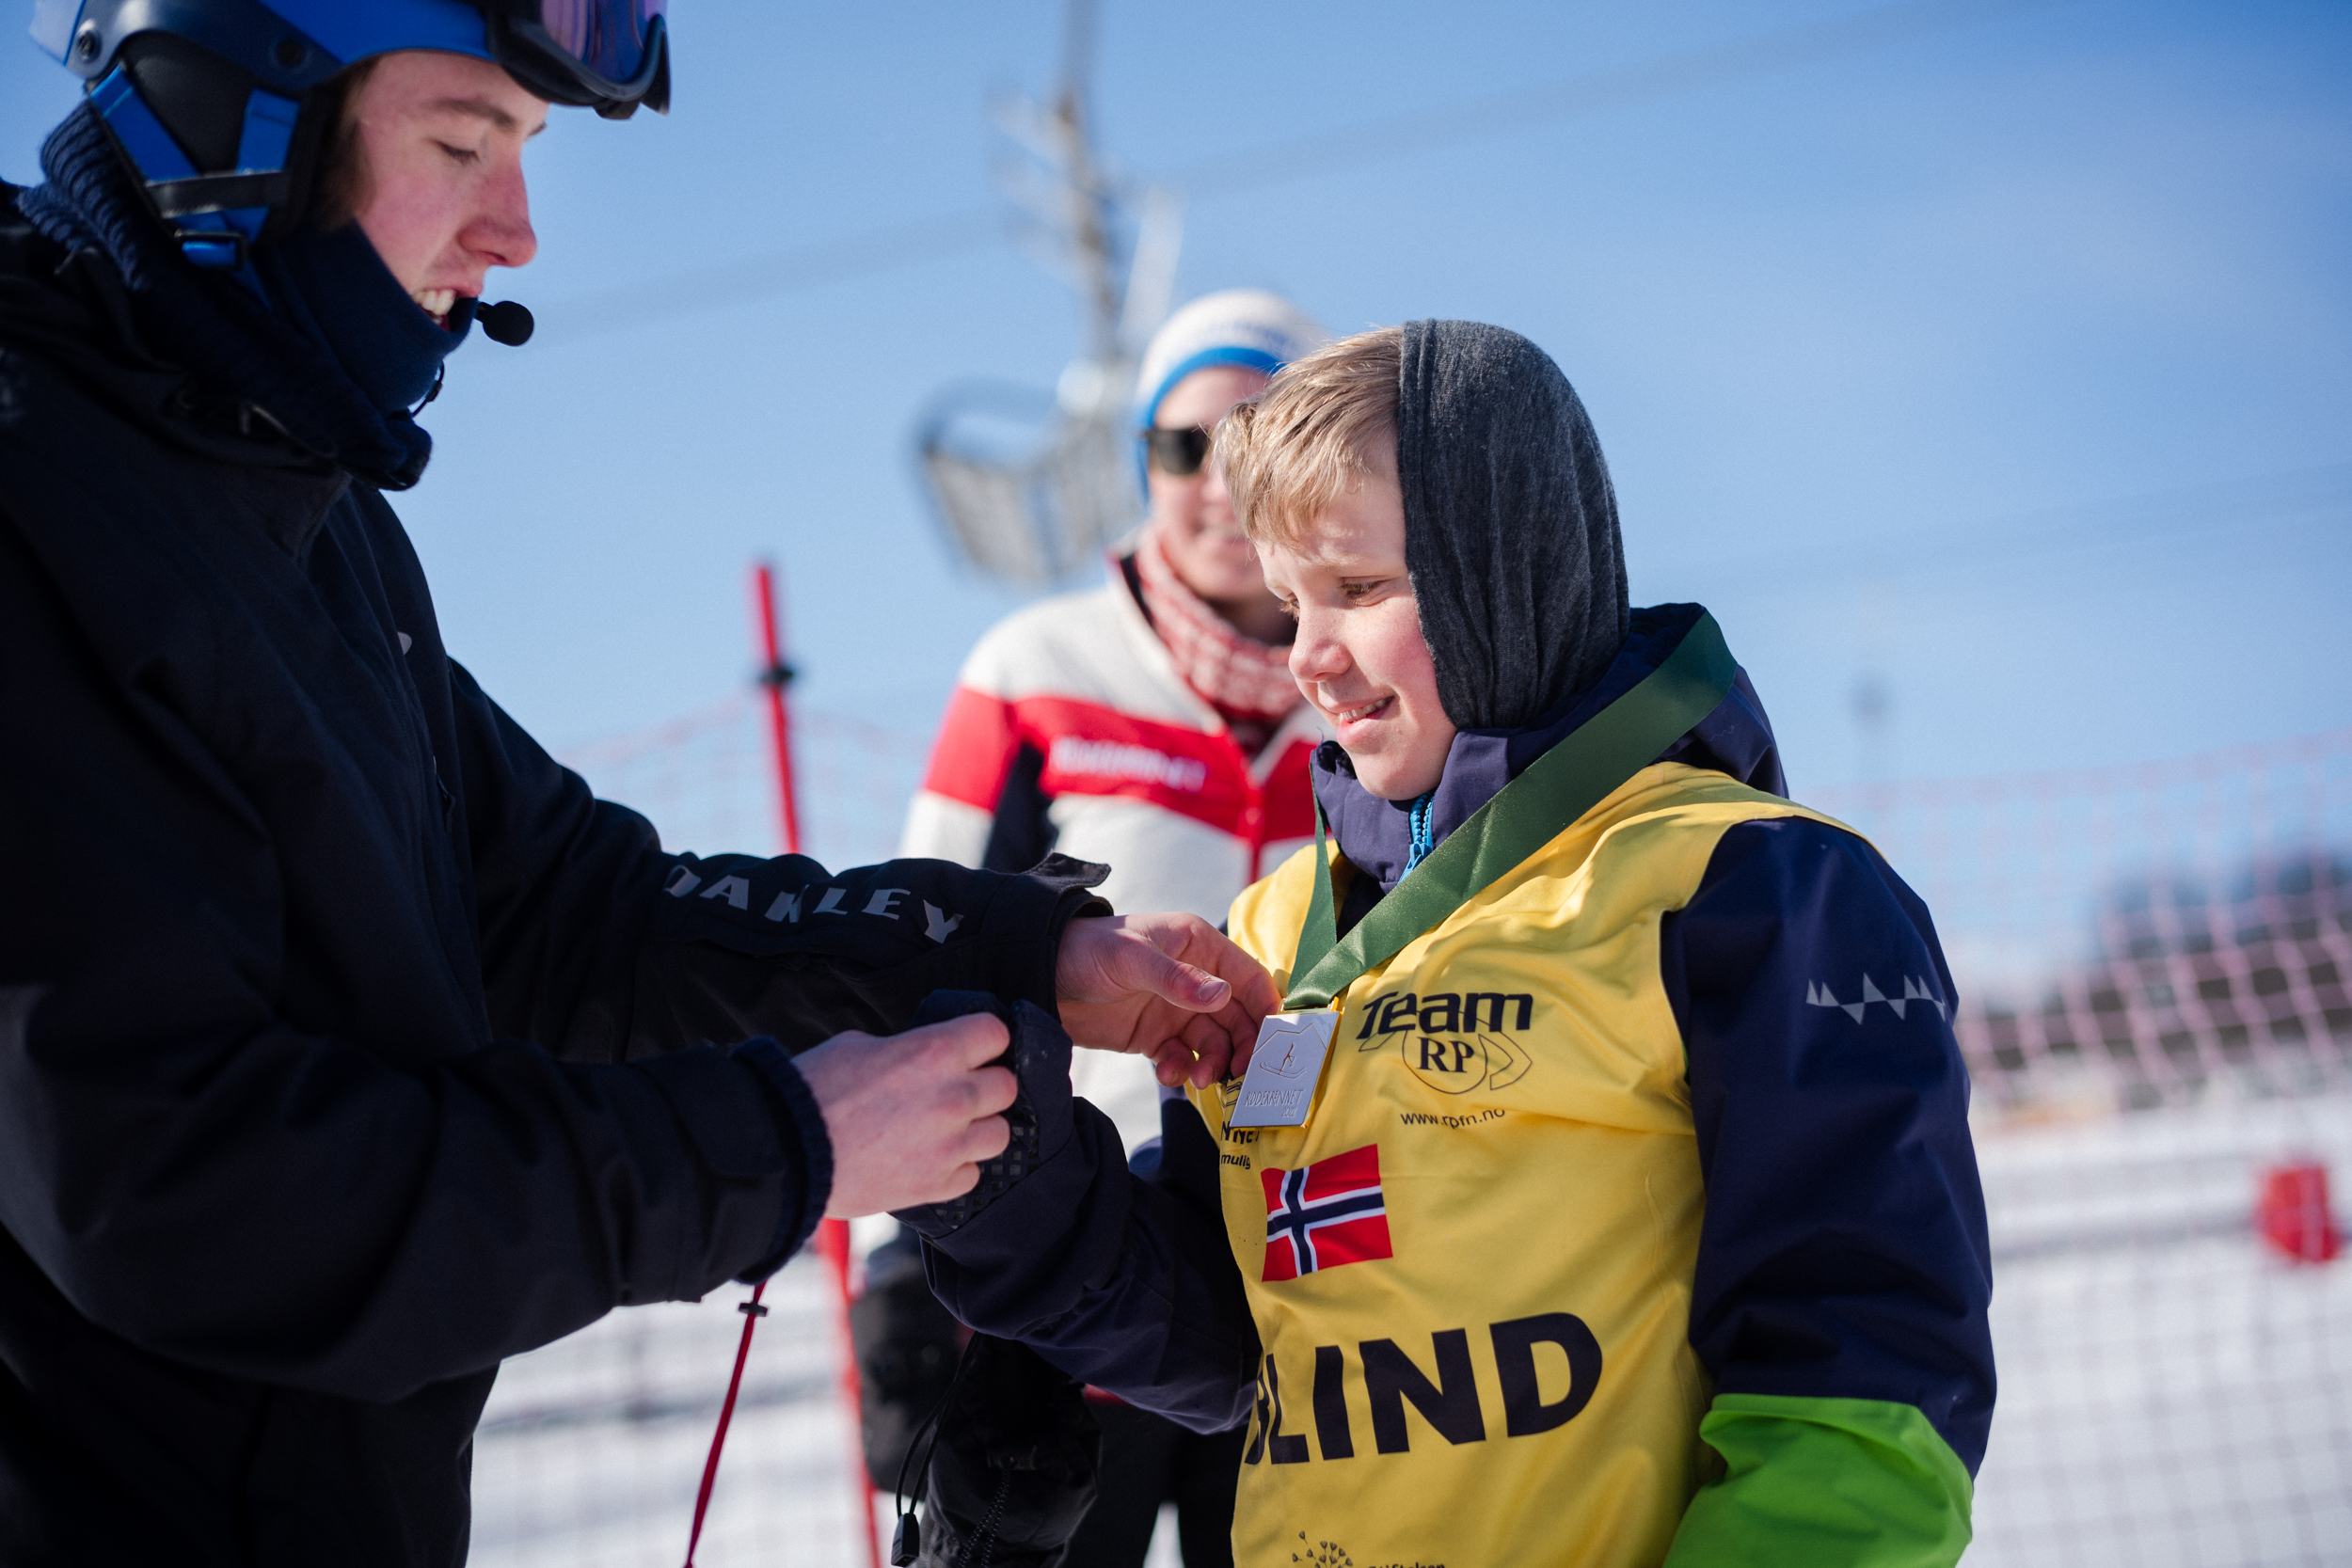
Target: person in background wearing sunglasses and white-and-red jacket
[1154,725]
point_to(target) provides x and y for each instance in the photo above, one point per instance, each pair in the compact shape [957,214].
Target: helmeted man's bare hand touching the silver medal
[1163,986]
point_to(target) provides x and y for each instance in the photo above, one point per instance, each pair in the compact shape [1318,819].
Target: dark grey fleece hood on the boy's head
[1511,530]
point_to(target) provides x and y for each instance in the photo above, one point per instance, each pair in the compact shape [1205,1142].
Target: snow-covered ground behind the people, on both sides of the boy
[2174,1395]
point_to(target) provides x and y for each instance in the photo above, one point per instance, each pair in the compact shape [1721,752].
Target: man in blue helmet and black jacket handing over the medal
[347,1045]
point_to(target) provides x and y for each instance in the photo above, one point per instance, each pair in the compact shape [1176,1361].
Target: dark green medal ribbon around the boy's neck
[1528,815]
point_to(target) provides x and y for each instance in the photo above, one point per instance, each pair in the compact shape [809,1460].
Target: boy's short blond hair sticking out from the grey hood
[1321,429]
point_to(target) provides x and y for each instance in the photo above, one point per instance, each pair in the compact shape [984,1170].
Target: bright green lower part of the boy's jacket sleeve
[1824,1485]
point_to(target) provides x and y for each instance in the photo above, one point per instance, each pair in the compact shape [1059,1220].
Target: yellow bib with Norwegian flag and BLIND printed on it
[1471,1268]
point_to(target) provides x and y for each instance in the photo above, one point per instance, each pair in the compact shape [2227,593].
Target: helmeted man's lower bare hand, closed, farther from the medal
[911,1115]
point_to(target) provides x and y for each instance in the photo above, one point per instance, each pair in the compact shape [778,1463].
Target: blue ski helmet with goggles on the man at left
[211,100]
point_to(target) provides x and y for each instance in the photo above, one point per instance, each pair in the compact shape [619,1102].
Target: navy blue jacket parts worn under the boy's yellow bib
[1843,1252]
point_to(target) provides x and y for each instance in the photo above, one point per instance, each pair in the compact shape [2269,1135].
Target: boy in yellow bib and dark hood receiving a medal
[1605,1193]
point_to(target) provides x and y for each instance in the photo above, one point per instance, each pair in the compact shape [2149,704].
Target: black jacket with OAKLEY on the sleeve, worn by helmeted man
[347,1043]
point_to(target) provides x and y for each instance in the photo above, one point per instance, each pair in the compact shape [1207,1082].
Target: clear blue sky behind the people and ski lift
[2005,363]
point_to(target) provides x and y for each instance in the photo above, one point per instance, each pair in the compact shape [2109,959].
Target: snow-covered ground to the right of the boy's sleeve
[2174,1393]
